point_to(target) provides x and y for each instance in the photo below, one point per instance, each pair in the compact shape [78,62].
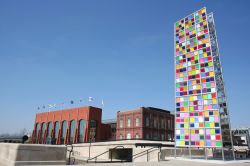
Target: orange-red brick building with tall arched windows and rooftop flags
[76,125]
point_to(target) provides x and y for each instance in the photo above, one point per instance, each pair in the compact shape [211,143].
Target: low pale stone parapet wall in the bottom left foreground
[32,154]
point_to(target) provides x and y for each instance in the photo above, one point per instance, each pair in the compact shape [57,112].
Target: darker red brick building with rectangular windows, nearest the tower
[146,123]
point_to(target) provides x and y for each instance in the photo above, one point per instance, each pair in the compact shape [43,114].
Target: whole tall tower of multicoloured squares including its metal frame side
[202,118]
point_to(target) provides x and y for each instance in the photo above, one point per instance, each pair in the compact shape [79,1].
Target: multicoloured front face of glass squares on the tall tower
[197,114]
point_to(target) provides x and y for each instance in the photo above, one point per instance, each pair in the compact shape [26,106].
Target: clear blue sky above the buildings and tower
[118,51]
